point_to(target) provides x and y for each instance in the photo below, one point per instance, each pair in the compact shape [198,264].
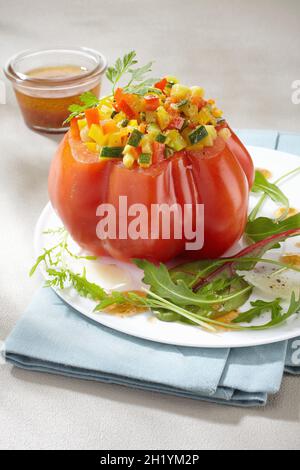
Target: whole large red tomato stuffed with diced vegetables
[168,146]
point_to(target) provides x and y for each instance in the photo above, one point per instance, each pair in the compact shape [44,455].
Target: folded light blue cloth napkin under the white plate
[52,337]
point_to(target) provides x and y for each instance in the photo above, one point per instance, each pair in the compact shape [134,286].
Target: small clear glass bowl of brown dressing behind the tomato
[47,81]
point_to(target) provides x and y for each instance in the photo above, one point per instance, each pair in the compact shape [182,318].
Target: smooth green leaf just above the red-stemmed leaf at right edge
[264,227]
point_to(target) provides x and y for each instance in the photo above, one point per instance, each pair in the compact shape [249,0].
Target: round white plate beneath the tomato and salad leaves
[146,325]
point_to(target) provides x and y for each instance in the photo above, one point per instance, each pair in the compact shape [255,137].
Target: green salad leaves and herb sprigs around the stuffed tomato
[201,292]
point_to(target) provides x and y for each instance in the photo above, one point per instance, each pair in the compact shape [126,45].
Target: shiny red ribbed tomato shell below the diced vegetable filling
[79,183]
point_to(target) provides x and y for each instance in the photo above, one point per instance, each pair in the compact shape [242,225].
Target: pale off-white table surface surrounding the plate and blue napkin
[246,55]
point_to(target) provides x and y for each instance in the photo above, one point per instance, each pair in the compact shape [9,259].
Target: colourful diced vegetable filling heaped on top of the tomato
[144,129]
